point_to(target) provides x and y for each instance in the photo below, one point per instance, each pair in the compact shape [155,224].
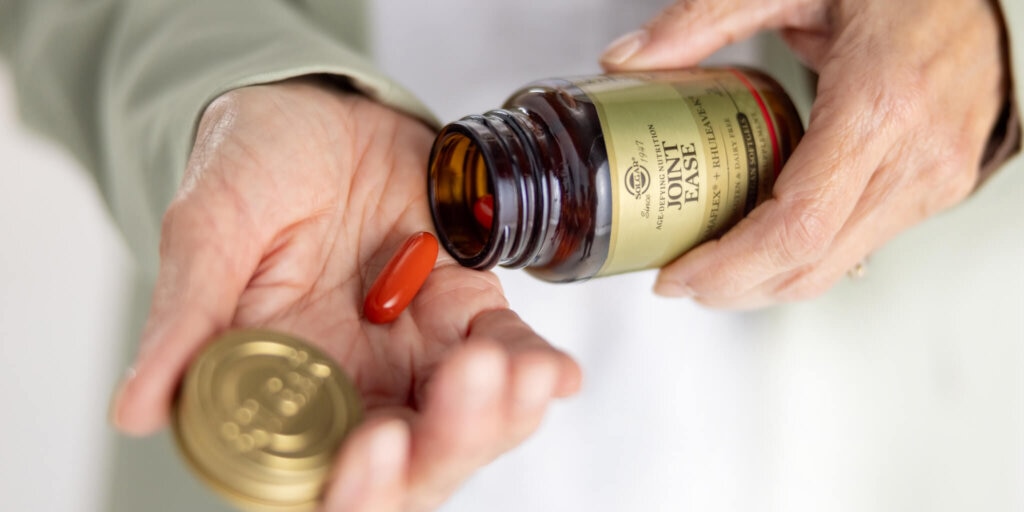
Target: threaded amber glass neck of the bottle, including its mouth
[493,161]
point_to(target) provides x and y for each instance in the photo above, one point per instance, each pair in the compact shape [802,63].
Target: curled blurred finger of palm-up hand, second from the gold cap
[460,429]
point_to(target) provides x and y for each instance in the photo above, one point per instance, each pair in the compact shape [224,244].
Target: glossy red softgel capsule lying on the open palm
[402,279]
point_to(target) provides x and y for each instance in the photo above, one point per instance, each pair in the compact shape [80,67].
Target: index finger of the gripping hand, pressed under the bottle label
[847,140]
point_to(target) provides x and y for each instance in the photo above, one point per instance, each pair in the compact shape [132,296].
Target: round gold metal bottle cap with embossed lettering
[261,417]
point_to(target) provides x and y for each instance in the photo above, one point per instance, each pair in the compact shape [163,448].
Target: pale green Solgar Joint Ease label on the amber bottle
[690,154]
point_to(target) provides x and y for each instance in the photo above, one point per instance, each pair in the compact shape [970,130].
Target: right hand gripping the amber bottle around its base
[909,94]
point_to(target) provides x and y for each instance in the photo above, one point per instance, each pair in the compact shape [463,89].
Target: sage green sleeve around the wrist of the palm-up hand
[122,83]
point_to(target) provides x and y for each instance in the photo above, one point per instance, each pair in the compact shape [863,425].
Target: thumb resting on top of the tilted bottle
[690,31]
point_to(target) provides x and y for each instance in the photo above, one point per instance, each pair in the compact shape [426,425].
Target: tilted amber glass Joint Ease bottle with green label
[590,177]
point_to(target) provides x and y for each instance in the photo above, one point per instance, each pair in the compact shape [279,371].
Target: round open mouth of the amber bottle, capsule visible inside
[462,198]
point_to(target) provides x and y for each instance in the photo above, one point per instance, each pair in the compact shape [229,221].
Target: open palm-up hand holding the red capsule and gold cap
[295,196]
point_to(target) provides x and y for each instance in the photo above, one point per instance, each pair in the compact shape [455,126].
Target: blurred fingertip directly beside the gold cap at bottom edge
[370,474]
